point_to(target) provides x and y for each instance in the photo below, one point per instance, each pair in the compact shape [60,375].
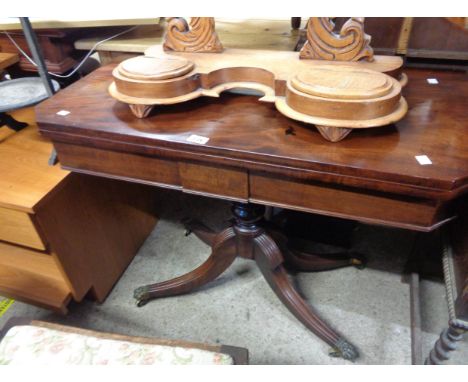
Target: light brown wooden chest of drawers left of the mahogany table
[63,235]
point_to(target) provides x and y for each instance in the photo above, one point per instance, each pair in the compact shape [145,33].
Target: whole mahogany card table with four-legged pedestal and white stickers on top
[411,175]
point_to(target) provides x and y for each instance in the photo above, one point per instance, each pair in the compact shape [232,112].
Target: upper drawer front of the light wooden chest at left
[17,227]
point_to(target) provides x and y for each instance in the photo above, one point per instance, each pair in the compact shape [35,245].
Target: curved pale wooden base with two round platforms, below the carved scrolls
[336,97]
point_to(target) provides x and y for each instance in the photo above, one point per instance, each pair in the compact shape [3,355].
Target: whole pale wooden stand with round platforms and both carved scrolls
[338,85]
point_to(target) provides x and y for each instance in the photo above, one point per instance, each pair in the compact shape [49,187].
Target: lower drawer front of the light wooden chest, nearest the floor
[33,277]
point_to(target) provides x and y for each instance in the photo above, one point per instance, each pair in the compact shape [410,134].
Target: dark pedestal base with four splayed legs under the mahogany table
[248,239]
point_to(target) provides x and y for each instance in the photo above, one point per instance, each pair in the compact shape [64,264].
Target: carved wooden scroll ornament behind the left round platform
[197,36]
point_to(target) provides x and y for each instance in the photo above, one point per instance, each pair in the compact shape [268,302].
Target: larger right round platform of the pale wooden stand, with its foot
[338,100]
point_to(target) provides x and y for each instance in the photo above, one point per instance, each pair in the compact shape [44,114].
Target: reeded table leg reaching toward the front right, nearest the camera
[270,261]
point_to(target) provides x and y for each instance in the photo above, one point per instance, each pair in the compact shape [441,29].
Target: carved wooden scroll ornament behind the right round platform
[351,44]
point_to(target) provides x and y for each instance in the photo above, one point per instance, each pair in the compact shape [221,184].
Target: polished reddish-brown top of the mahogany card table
[241,127]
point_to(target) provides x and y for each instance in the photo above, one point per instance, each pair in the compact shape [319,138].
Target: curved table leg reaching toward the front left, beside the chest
[223,254]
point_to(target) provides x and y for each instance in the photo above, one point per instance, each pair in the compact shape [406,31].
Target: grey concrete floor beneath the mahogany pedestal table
[370,307]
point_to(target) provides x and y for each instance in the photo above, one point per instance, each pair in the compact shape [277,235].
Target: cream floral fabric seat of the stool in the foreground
[35,345]
